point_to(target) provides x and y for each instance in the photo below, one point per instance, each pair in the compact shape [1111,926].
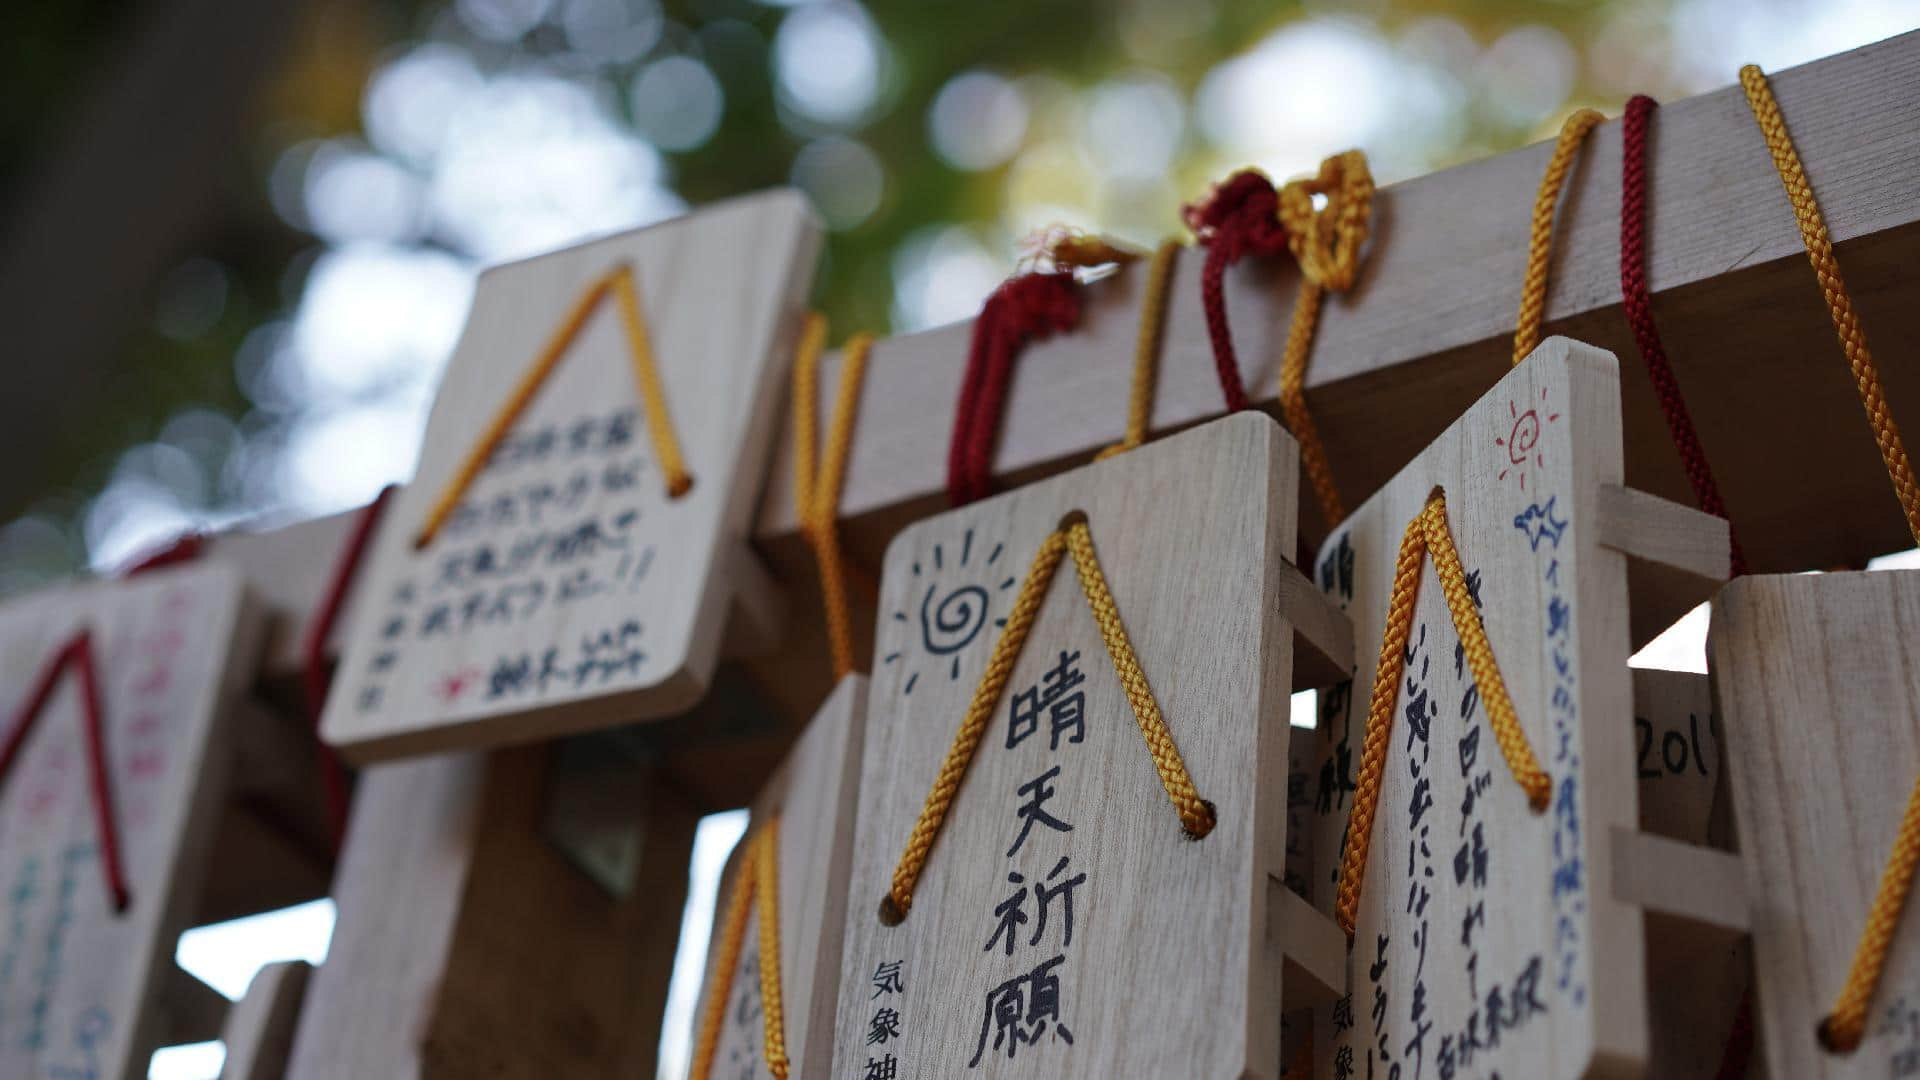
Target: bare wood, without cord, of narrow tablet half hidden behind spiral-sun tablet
[815,797]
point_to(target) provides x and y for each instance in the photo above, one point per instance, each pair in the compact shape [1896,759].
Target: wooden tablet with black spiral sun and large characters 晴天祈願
[1065,921]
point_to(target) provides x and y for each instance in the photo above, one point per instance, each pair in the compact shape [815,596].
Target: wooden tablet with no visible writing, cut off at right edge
[1823,735]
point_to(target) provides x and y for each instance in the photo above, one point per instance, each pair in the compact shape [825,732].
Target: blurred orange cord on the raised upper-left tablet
[646,376]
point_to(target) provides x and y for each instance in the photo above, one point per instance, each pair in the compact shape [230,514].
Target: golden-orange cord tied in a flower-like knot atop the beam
[1326,243]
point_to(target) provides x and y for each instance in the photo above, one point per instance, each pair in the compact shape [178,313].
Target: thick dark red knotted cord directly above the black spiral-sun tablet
[1026,308]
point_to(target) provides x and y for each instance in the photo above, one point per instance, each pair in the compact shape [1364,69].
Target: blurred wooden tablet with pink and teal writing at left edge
[82,987]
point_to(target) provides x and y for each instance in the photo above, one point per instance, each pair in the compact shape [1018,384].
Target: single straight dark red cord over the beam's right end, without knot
[1639,305]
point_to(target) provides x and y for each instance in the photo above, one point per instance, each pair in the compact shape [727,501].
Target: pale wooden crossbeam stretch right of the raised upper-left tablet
[1429,326]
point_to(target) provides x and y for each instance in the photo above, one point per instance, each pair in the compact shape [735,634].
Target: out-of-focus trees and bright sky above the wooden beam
[241,235]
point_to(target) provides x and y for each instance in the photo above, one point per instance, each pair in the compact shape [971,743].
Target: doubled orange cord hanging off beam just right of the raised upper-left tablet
[817,487]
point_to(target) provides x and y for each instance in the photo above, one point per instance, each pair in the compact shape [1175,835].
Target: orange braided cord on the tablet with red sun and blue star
[1428,535]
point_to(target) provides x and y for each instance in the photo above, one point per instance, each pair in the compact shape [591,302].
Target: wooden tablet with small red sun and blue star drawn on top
[1499,896]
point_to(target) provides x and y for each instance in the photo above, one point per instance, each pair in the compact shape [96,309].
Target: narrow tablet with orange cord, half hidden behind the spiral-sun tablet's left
[805,814]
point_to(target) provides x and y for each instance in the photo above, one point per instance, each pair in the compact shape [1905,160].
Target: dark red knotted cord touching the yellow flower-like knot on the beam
[1239,218]
